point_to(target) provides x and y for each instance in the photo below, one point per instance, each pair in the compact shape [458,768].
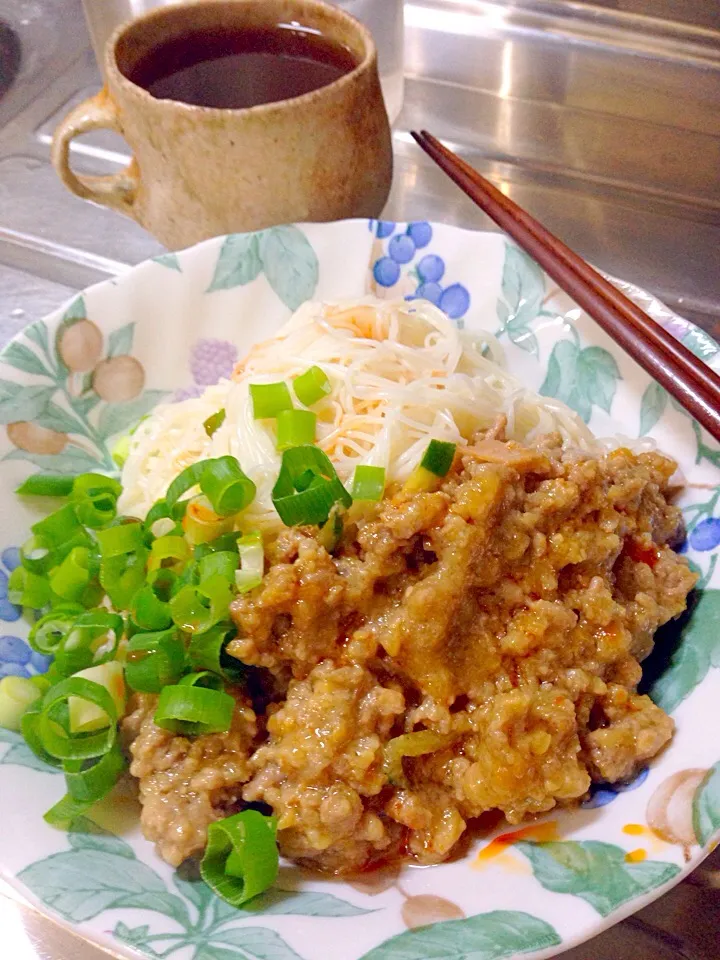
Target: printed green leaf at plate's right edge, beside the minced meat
[698,650]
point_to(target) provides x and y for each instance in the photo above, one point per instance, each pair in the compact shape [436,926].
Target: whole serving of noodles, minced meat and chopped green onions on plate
[365,591]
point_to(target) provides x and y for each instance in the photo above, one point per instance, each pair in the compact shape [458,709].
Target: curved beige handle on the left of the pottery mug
[117,190]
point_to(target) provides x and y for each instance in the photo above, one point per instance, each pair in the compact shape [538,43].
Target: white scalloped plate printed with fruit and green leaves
[169,327]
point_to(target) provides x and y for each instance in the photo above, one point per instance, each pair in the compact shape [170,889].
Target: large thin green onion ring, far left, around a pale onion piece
[65,745]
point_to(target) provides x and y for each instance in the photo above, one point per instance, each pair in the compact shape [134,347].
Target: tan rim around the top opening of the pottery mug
[173,9]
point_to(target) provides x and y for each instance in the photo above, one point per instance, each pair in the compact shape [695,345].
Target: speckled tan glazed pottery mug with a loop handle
[200,171]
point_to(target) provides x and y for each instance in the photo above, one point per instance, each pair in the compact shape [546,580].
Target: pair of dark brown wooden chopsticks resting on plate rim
[693,384]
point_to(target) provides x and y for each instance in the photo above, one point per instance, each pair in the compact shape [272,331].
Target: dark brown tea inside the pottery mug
[237,68]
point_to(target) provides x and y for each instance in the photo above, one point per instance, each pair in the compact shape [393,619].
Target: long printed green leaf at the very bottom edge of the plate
[488,936]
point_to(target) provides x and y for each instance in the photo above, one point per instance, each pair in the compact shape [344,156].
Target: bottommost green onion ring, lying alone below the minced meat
[241,857]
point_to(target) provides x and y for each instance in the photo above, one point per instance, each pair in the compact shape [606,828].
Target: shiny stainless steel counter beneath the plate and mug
[601,121]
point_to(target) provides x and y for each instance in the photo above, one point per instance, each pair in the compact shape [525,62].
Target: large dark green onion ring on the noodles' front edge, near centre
[297,503]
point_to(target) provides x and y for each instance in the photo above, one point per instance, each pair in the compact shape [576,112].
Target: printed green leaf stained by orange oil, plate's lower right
[595,871]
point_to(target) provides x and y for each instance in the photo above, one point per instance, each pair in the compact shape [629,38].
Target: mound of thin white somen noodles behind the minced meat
[401,374]
